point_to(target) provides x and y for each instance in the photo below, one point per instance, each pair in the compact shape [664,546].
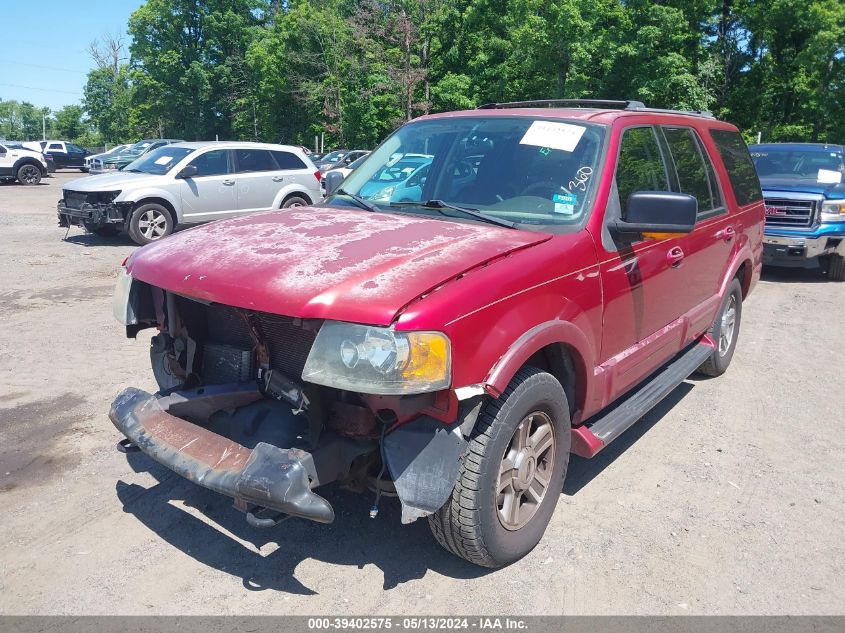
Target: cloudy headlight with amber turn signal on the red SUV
[378,360]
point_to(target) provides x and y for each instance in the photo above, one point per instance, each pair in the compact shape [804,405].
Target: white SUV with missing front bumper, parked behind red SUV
[188,183]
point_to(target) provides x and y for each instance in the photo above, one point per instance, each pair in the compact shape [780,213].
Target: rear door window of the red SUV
[694,171]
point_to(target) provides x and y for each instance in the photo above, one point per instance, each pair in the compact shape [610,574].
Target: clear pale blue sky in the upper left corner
[44,58]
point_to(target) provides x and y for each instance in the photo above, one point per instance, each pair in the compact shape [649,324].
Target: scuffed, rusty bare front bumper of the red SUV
[266,475]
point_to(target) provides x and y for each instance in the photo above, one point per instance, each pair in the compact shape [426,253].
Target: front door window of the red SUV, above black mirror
[640,166]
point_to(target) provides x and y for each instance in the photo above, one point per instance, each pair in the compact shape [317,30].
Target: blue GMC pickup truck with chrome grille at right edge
[804,190]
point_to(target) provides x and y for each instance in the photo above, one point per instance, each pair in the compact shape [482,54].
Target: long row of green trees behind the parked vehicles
[356,69]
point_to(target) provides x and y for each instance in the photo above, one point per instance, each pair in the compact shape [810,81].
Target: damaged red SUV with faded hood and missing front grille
[488,292]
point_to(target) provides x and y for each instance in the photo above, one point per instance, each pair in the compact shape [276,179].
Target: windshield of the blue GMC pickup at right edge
[825,166]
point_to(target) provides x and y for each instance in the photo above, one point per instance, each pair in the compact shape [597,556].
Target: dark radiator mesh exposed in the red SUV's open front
[288,344]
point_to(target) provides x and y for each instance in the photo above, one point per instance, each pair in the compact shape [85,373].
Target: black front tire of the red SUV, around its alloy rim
[469,523]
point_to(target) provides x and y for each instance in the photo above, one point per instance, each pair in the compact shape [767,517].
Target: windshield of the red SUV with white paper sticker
[516,169]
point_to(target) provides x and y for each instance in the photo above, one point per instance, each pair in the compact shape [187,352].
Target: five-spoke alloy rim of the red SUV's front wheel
[526,470]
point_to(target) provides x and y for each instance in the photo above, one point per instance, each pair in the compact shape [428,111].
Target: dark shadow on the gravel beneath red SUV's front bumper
[402,552]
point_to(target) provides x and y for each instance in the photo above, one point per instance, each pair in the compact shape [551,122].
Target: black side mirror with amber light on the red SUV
[657,215]
